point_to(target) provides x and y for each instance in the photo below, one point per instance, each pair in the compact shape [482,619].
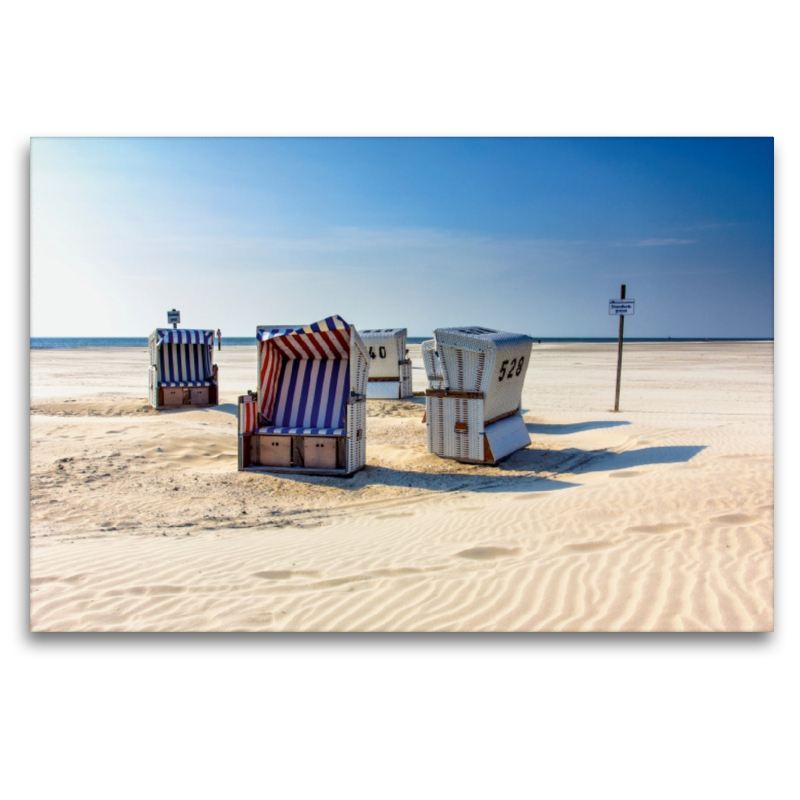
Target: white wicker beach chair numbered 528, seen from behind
[476,416]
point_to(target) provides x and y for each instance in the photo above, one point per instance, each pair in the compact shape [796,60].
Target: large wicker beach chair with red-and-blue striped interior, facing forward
[309,415]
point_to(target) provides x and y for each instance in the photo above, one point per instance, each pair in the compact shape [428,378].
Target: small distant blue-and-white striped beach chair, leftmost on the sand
[182,369]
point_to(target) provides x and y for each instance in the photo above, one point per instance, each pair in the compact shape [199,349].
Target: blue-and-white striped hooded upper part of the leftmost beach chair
[182,357]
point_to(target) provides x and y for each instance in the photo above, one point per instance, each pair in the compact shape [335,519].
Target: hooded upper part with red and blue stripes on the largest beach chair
[305,376]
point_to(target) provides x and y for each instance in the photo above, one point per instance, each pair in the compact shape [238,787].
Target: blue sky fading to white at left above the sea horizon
[530,235]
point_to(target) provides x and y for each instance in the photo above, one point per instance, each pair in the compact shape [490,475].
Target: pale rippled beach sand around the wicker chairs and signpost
[656,518]
